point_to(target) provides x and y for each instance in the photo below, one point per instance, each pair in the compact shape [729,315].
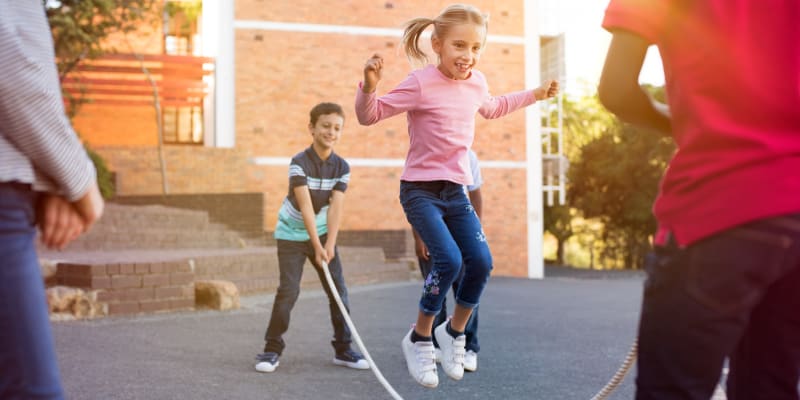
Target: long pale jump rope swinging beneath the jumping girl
[601,395]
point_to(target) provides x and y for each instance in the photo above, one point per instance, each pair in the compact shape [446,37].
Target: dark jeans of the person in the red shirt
[735,294]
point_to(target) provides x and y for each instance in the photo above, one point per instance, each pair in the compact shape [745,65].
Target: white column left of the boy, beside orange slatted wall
[219,42]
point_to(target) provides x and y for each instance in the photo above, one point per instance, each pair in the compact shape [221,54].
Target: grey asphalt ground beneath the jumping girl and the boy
[557,338]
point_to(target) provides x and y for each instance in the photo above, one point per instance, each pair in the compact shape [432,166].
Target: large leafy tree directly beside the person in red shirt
[615,179]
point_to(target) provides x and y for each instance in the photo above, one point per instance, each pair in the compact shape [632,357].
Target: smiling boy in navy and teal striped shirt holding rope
[308,223]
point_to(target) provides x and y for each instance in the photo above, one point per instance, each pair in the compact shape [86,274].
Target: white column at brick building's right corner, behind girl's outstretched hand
[533,145]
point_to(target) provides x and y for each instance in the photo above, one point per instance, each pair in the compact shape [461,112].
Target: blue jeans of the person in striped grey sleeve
[28,365]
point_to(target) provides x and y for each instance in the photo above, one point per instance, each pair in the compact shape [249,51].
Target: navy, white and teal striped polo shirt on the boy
[321,177]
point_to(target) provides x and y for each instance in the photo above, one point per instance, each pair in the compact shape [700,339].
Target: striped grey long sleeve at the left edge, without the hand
[38,144]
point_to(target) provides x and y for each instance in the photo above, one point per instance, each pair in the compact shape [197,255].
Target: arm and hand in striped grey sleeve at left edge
[33,121]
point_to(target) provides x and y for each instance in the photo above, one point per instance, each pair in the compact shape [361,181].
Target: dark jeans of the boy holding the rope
[291,257]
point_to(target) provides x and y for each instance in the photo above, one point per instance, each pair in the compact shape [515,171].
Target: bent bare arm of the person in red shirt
[619,87]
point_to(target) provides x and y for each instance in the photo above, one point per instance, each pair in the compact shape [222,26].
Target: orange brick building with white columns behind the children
[275,59]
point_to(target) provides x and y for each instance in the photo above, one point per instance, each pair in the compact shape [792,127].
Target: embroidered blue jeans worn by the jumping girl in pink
[444,218]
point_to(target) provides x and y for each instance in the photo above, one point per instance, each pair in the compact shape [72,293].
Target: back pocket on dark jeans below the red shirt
[730,271]
